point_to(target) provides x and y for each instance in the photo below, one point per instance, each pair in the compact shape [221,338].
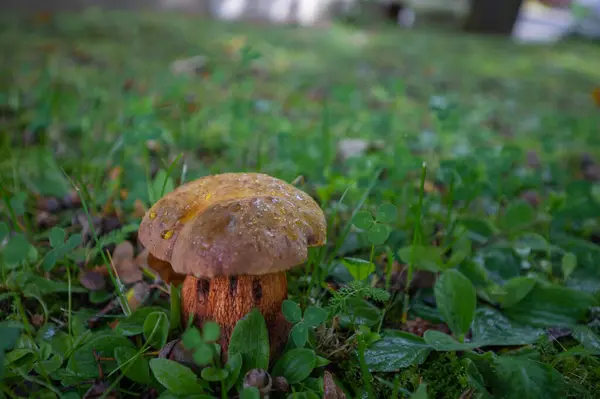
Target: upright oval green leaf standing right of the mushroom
[456,300]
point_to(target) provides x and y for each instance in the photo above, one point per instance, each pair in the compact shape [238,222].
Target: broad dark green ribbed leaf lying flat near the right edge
[551,306]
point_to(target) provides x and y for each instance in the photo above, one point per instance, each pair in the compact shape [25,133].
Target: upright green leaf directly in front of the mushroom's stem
[250,338]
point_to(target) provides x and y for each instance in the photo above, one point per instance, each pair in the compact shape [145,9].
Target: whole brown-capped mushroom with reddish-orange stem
[232,237]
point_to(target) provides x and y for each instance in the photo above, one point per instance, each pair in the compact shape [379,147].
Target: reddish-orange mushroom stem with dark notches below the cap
[226,300]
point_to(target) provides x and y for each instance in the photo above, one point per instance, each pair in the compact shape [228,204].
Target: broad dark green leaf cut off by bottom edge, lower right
[525,378]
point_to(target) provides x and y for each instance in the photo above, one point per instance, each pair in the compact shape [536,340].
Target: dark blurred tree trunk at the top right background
[493,16]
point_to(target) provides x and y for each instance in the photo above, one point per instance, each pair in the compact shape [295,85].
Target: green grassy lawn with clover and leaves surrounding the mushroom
[461,256]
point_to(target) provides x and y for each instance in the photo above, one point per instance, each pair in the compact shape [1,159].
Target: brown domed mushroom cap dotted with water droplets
[233,224]
